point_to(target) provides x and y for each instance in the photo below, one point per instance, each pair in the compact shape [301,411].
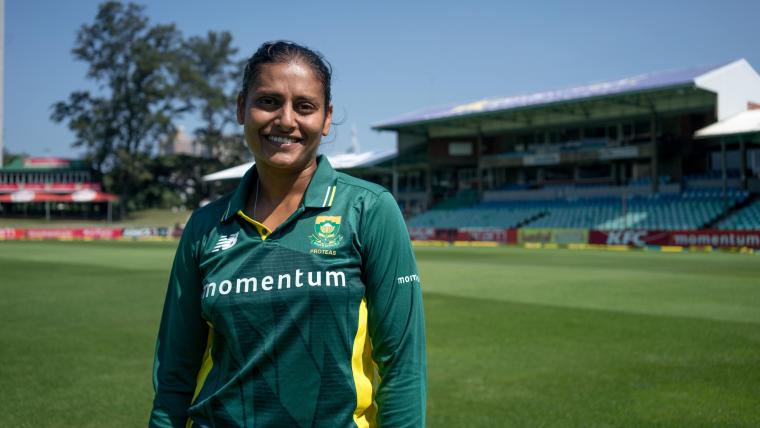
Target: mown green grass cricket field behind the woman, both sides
[515,337]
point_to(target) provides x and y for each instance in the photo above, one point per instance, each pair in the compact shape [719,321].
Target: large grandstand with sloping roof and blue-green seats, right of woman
[613,155]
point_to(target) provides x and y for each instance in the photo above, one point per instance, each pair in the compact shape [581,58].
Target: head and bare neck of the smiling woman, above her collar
[285,110]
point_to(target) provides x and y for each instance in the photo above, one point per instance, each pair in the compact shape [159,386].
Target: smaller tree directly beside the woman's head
[208,79]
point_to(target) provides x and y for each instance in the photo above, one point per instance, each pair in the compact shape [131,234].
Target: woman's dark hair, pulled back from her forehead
[284,51]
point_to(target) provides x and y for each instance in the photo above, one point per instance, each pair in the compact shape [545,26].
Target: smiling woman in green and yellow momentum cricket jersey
[295,300]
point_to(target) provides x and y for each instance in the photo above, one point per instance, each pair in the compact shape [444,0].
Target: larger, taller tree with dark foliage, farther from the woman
[135,65]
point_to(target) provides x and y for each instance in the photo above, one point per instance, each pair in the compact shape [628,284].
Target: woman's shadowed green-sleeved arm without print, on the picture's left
[182,339]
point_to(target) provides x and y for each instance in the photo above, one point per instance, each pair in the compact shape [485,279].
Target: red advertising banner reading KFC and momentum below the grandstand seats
[683,238]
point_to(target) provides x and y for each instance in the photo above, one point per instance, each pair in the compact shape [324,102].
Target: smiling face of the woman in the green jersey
[284,116]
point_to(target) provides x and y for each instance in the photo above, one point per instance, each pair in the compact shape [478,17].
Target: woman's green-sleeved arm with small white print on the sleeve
[395,315]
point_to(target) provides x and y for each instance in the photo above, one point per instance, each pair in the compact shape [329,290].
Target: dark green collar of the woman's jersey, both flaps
[319,193]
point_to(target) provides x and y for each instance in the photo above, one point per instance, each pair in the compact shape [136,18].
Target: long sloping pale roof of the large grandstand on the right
[699,77]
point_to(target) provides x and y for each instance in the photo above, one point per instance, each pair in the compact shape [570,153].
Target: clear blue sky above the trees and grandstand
[392,57]
